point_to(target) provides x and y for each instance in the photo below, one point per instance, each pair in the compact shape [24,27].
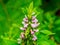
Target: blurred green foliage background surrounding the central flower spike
[11,16]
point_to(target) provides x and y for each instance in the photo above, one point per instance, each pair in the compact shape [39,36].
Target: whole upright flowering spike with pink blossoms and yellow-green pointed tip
[30,27]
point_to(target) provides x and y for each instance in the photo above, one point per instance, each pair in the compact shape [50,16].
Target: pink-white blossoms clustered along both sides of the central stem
[33,23]
